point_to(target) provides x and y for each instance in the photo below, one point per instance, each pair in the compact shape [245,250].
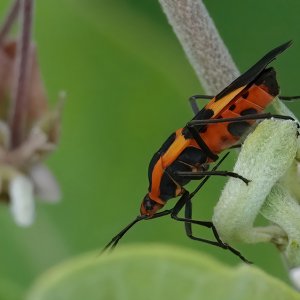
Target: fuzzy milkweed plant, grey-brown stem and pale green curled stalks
[269,156]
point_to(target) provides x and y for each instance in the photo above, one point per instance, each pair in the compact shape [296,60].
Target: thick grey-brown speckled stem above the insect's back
[201,42]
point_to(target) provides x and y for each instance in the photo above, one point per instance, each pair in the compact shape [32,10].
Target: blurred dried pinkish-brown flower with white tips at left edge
[29,130]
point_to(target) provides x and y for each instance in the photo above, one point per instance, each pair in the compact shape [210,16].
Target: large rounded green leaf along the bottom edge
[156,272]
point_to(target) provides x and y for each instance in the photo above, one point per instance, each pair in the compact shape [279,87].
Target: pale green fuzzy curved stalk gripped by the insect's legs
[265,157]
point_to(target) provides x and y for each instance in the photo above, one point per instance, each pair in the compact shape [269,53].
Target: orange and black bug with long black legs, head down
[187,153]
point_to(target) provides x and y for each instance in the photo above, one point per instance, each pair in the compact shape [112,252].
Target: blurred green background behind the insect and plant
[128,82]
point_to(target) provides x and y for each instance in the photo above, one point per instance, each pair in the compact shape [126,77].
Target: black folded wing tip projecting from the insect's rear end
[254,71]
